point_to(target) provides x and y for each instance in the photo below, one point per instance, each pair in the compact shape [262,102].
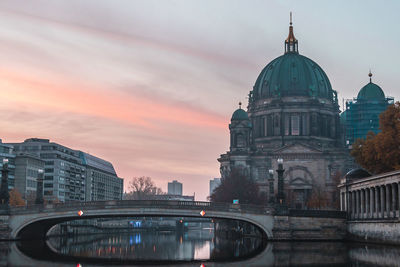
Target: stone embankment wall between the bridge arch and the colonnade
[308,228]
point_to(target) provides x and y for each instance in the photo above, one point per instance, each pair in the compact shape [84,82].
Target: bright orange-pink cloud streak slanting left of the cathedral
[83,99]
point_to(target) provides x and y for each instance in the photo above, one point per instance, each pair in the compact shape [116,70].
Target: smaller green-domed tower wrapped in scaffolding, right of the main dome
[362,113]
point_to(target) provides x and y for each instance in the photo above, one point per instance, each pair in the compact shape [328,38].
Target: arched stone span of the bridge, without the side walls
[35,225]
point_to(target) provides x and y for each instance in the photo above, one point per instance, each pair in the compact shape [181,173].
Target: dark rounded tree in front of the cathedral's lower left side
[237,186]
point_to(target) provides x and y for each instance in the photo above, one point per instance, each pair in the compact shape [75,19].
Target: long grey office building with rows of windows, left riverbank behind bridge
[67,175]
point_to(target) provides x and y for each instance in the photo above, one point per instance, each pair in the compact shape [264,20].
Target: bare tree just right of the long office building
[142,188]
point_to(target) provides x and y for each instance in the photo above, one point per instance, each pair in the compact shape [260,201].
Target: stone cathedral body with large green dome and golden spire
[292,114]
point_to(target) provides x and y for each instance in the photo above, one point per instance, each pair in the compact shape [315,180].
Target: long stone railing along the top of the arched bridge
[176,204]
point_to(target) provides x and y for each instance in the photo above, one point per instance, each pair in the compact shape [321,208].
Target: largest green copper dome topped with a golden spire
[292,75]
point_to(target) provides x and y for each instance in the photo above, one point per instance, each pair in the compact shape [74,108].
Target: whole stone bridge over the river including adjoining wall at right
[33,222]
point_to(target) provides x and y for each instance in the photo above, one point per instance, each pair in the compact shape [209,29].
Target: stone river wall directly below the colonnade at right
[387,232]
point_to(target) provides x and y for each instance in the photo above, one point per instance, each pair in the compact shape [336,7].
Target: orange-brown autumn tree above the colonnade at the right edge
[381,152]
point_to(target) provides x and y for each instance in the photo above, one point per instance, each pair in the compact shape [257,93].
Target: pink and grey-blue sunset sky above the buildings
[151,85]
